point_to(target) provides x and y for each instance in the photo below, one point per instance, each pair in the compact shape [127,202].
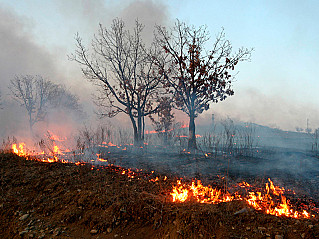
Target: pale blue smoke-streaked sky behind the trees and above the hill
[277,88]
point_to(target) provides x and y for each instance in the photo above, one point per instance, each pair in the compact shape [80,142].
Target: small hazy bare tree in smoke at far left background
[36,95]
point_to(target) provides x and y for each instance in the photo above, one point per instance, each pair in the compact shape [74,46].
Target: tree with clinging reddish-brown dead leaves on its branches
[198,76]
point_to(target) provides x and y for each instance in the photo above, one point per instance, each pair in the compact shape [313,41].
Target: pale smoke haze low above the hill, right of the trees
[251,105]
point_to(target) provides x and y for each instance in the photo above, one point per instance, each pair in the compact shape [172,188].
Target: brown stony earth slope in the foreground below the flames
[55,200]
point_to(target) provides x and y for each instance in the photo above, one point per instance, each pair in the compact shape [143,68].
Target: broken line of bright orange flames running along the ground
[269,199]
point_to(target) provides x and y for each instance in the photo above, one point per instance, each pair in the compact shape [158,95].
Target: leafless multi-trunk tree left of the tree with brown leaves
[127,76]
